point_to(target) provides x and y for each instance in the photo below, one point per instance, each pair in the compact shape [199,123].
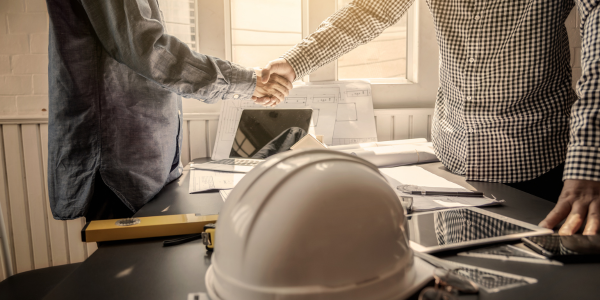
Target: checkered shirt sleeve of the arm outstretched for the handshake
[356,24]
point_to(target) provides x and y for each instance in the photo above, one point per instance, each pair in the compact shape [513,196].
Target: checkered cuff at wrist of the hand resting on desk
[582,163]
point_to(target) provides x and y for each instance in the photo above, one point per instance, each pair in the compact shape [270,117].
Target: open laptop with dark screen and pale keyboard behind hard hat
[260,134]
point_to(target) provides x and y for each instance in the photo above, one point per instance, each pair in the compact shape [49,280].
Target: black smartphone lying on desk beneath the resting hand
[568,249]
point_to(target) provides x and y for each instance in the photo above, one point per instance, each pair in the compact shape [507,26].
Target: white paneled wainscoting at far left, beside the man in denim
[36,239]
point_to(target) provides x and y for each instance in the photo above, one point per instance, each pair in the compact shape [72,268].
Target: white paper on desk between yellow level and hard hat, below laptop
[202,180]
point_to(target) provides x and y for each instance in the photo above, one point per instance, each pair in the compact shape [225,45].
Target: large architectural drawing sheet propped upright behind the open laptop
[342,113]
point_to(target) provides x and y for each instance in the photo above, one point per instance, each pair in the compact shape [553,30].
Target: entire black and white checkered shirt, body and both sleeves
[505,98]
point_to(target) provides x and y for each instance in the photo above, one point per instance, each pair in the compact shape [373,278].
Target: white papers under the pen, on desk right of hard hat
[416,178]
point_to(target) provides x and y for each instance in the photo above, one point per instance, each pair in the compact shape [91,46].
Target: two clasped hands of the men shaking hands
[273,83]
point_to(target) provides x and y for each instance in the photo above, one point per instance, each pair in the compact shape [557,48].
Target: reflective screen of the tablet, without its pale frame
[457,226]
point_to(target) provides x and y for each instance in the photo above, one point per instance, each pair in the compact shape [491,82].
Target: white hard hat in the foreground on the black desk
[314,224]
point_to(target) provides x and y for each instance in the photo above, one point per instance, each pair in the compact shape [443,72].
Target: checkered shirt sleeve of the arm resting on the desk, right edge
[583,156]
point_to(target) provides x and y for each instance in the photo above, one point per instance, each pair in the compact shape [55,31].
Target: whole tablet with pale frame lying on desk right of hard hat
[465,227]
